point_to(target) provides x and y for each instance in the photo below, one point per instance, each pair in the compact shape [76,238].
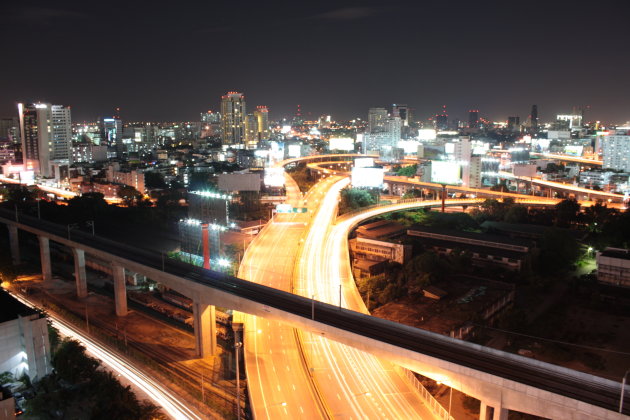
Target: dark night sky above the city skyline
[167,62]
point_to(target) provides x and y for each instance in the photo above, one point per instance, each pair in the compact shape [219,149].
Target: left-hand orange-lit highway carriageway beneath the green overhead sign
[278,382]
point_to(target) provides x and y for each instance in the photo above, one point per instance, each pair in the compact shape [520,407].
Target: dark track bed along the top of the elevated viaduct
[566,382]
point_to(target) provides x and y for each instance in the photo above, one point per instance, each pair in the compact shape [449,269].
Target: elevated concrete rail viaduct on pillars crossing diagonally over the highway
[502,380]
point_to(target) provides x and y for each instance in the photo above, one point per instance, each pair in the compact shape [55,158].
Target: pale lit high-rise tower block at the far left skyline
[46,132]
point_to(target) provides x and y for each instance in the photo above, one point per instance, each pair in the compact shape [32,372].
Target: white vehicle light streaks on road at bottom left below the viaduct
[161,396]
